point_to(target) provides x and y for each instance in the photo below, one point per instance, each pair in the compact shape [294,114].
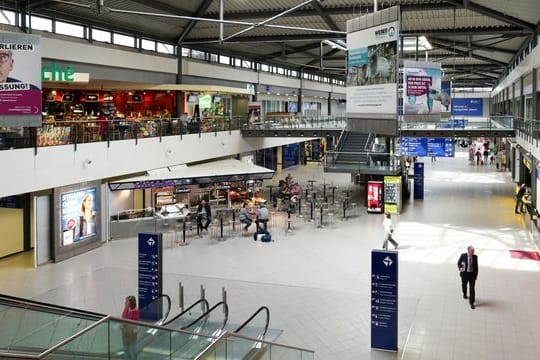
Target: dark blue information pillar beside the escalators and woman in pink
[150,275]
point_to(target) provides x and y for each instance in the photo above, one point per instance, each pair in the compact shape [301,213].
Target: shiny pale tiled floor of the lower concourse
[317,281]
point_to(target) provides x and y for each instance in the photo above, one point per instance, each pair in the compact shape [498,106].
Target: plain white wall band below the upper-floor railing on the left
[61,165]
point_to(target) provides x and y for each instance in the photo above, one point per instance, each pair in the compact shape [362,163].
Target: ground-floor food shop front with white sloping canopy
[160,200]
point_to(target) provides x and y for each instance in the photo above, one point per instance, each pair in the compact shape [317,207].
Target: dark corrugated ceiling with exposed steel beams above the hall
[474,40]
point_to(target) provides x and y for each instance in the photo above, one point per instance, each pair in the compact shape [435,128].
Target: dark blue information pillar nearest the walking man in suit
[384,300]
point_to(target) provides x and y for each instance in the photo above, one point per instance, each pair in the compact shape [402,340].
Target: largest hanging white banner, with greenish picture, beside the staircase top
[371,72]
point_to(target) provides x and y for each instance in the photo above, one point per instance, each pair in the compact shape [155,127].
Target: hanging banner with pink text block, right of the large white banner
[422,94]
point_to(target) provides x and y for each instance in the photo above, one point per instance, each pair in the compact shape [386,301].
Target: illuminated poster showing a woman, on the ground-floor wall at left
[78,215]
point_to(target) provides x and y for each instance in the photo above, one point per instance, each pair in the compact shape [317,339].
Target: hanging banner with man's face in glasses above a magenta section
[20,80]
